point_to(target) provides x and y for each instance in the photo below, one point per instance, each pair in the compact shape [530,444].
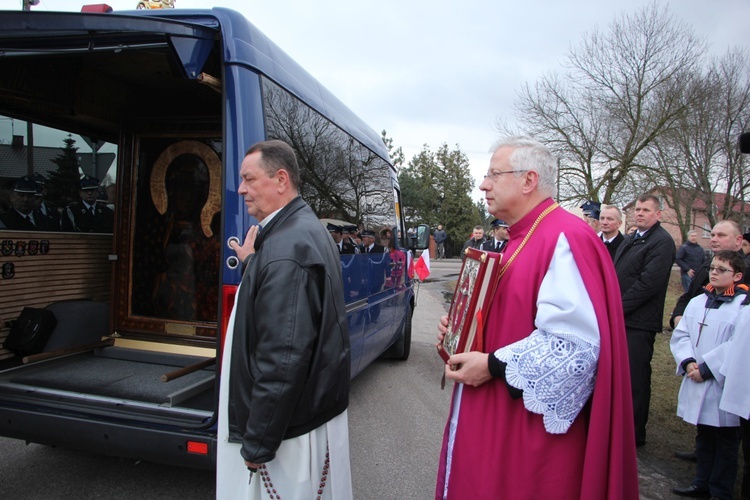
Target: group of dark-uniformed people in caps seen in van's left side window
[29,209]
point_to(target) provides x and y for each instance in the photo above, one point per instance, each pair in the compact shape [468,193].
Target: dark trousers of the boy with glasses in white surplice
[717,451]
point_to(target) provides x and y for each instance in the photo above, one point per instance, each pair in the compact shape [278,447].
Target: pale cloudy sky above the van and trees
[430,72]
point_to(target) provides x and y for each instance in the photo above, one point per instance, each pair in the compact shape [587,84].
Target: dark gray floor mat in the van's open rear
[113,378]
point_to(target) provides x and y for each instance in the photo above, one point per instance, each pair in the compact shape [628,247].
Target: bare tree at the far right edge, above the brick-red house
[697,159]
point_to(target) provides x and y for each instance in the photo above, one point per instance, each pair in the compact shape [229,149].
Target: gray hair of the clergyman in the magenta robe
[530,154]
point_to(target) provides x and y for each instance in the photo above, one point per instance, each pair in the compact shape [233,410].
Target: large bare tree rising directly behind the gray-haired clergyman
[617,96]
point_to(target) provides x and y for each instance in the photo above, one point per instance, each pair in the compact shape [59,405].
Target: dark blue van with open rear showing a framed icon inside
[168,102]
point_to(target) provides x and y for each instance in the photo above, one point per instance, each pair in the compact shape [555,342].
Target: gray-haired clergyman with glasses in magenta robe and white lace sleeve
[541,407]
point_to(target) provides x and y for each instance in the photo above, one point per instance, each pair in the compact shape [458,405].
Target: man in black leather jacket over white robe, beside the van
[290,360]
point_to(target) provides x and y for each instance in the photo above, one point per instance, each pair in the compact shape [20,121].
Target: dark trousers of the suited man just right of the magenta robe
[640,352]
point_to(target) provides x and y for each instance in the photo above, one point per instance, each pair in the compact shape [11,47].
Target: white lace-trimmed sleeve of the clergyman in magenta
[555,366]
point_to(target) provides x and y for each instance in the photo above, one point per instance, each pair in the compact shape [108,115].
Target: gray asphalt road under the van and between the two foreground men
[396,418]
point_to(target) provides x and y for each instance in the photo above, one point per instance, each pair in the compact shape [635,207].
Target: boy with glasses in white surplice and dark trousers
[700,346]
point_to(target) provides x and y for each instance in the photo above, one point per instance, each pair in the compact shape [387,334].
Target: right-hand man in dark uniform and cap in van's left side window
[88,216]
